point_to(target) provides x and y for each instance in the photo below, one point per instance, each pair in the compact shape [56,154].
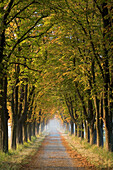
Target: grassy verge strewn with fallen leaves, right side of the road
[98,156]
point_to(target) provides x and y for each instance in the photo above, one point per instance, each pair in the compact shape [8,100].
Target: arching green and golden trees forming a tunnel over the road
[56,57]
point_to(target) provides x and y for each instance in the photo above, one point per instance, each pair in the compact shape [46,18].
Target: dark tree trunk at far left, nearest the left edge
[3,24]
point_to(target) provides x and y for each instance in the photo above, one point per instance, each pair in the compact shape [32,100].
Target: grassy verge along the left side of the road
[14,158]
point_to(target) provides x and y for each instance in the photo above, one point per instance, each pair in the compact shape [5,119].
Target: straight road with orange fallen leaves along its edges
[55,154]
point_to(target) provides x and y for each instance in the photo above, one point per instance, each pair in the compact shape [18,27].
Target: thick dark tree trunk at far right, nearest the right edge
[106,35]
